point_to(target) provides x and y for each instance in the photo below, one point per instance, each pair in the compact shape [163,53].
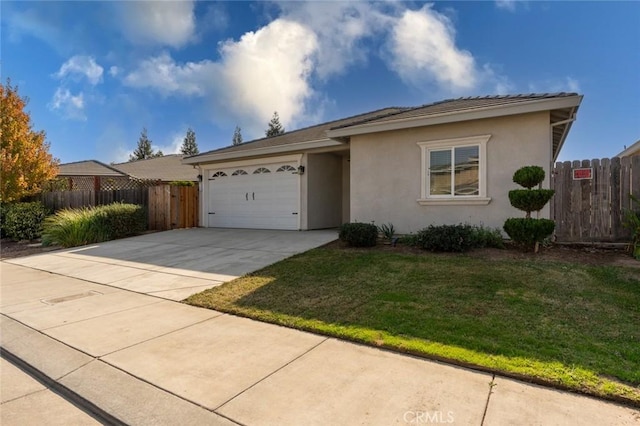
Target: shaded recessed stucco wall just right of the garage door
[324,189]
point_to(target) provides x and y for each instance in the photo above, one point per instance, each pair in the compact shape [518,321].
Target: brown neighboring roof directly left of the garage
[166,168]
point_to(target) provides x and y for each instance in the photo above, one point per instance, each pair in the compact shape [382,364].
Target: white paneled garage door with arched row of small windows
[261,197]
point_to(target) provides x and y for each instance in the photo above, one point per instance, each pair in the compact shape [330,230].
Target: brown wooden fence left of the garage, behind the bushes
[169,206]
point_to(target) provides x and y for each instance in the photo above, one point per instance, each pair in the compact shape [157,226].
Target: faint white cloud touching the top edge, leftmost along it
[167,23]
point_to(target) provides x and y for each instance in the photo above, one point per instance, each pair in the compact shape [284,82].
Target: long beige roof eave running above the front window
[457,116]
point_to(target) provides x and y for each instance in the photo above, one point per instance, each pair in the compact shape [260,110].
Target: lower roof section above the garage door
[309,137]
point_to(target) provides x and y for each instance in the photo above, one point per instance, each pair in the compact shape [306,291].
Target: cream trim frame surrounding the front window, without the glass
[442,200]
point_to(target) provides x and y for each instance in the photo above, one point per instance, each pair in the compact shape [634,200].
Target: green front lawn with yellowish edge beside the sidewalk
[573,326]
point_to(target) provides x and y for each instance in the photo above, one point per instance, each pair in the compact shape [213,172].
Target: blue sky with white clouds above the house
[96,72]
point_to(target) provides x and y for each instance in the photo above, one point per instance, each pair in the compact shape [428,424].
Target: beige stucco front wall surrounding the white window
[386,170]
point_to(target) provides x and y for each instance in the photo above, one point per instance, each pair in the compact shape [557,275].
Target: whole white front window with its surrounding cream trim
[454,171]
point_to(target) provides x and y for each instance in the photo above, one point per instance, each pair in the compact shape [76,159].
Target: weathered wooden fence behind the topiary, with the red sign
[592,209]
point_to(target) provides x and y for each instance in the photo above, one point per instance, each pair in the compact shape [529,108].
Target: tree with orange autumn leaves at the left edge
[26,163]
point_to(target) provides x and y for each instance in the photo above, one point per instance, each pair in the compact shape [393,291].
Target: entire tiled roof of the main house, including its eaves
[563,107]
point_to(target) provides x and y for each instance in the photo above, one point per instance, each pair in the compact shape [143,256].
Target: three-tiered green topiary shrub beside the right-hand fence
[529,232]
